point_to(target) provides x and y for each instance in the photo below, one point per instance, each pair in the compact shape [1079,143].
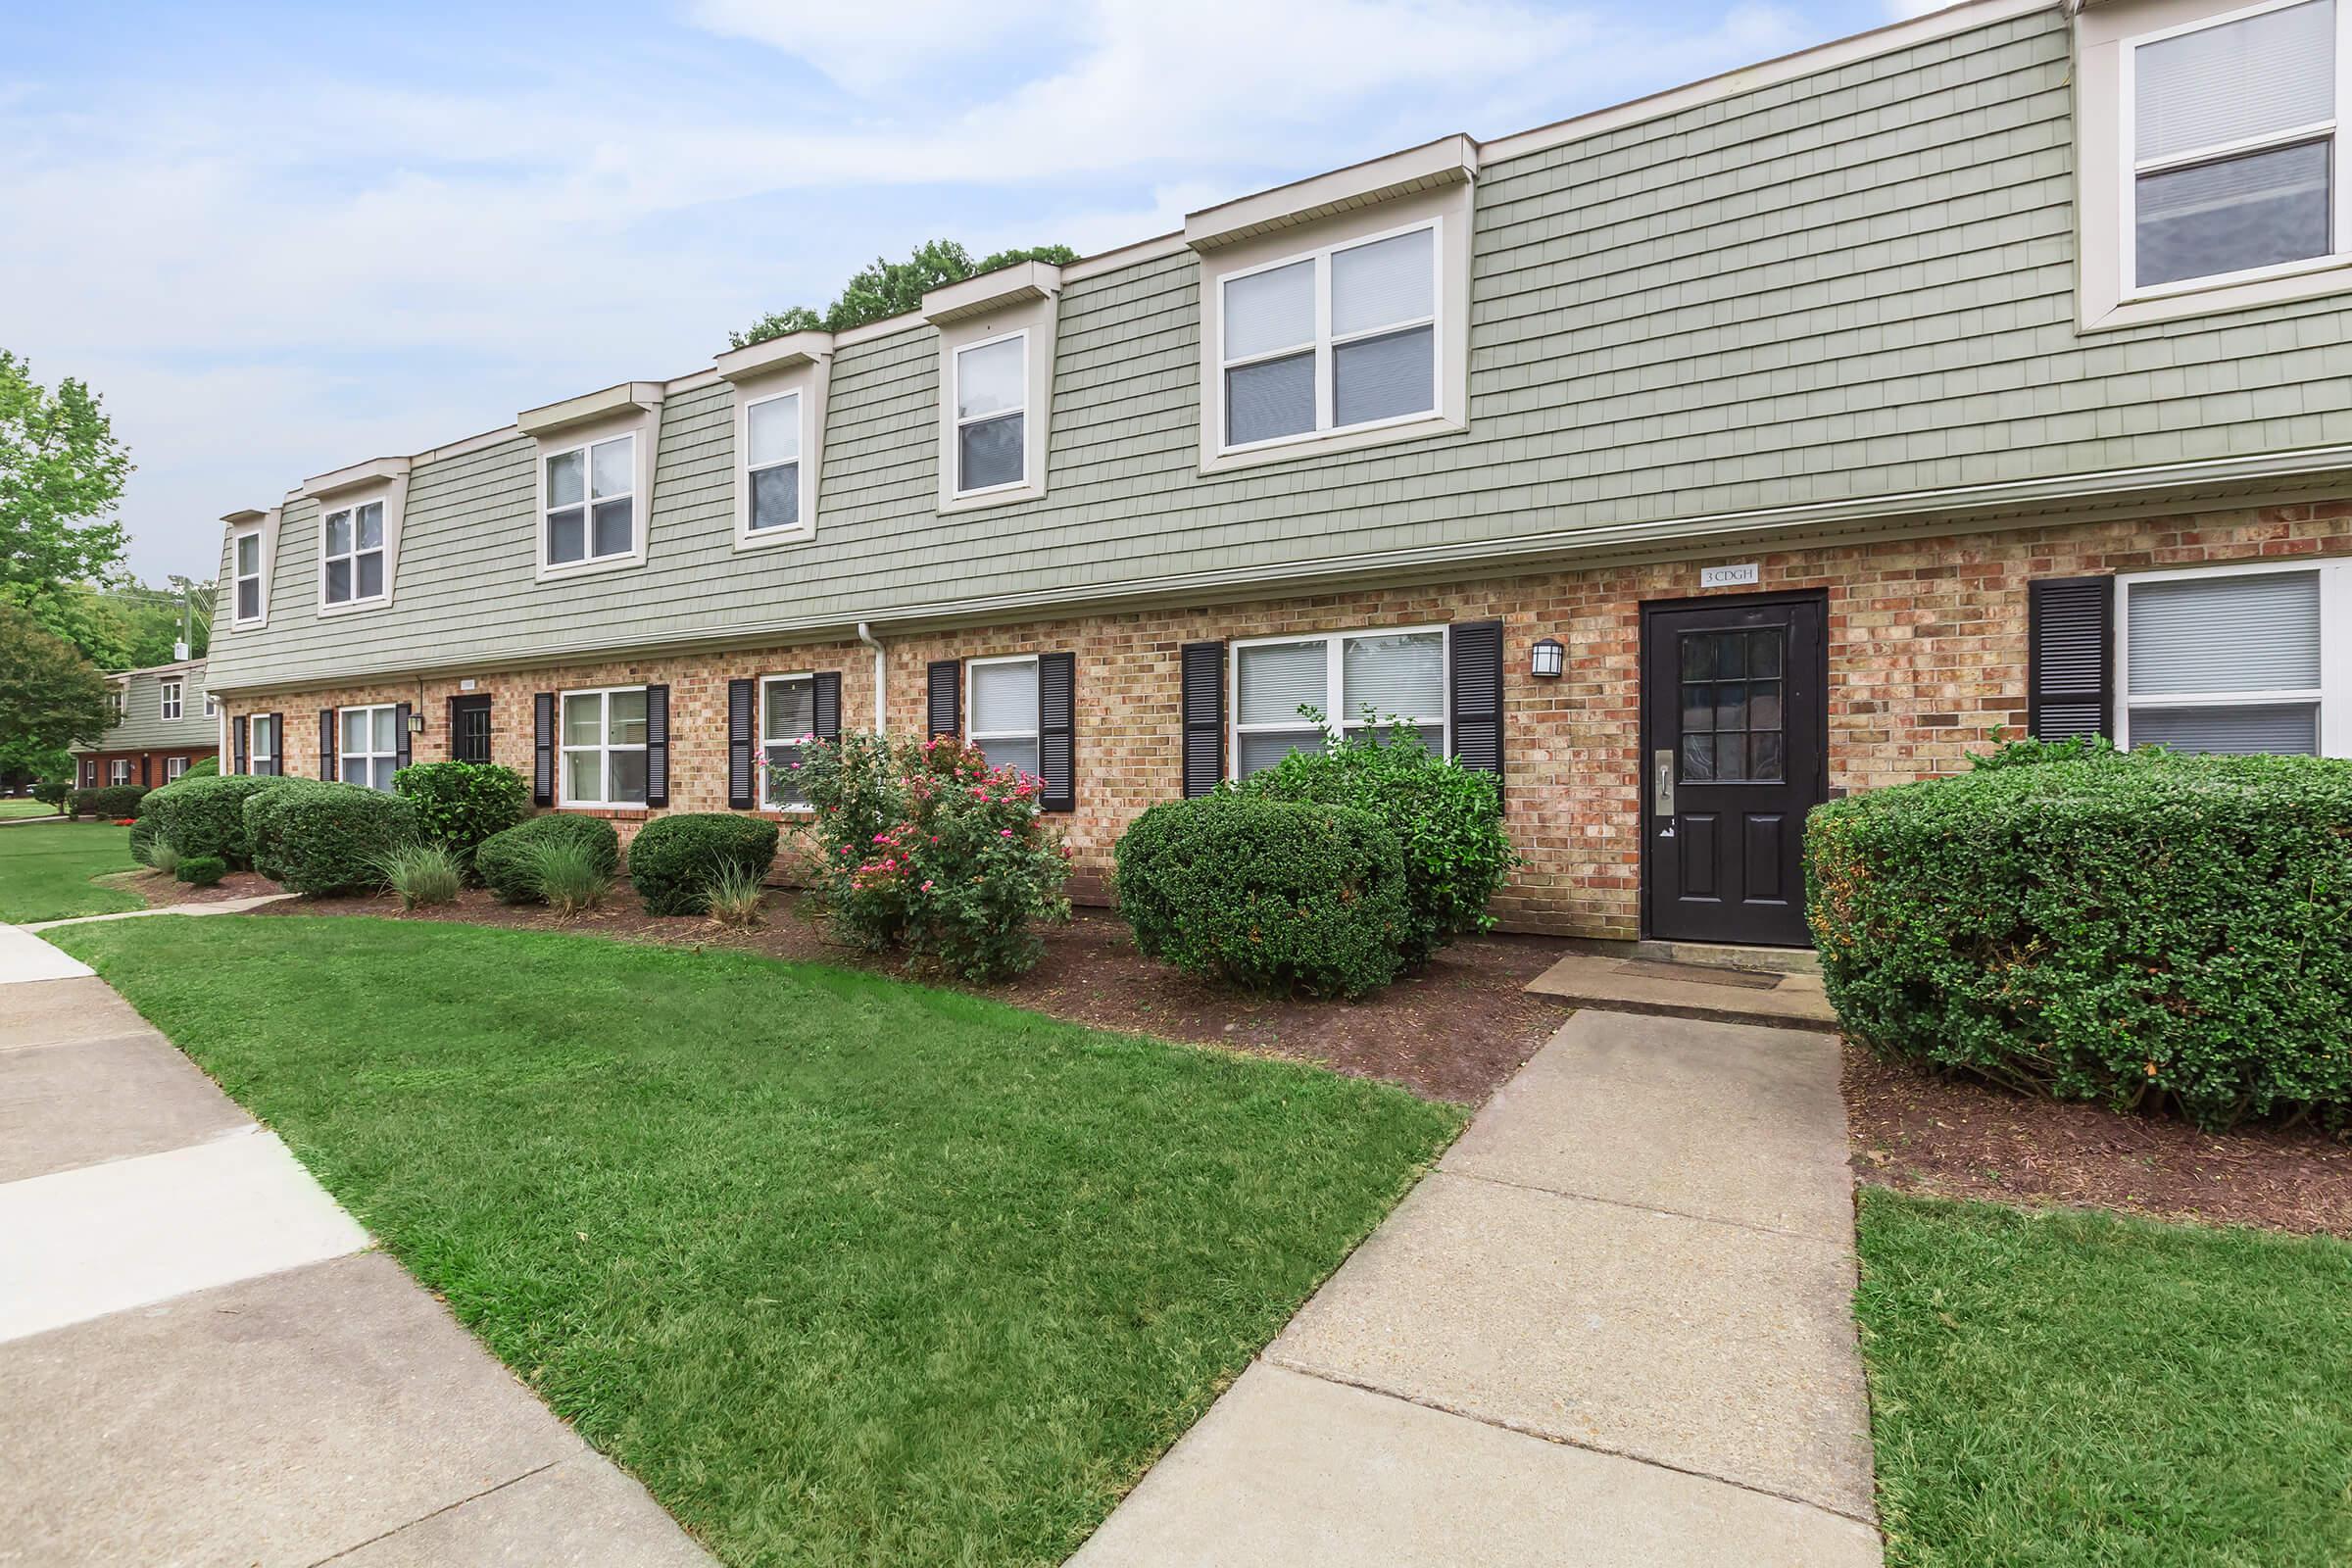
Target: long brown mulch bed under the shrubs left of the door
[1452,1033]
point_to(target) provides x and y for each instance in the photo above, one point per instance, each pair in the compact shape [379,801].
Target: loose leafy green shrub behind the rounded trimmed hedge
[1448,819]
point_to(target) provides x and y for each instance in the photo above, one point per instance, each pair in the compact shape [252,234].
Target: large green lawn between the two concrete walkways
[843,1268]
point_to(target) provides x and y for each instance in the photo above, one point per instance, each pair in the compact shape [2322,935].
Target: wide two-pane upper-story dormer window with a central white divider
[1335,340]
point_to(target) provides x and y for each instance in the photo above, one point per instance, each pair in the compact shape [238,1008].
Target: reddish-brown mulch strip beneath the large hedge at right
[1972,1141]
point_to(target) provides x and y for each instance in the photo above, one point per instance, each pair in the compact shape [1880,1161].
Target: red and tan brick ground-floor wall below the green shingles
[1927,664]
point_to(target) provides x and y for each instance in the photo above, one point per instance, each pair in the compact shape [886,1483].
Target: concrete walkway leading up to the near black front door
[1612,1329]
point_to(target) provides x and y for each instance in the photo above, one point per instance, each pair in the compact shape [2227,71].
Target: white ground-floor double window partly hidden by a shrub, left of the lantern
[1347,681]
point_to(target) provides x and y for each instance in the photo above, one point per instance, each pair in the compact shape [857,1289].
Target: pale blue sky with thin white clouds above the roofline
[281,239]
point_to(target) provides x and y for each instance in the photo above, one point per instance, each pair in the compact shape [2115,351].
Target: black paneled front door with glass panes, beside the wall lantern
[1735,753]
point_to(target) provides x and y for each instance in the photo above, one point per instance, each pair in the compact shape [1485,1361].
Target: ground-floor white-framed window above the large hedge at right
[2238,659]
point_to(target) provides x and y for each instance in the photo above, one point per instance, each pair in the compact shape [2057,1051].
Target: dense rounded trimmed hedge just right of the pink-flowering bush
[1267,894]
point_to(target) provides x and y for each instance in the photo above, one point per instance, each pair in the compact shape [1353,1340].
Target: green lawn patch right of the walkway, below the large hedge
[2069,1388]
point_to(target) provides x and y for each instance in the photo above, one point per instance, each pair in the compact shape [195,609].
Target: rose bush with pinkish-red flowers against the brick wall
[930,852]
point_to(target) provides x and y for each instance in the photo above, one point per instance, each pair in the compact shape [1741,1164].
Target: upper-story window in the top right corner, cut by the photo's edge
[2233,138]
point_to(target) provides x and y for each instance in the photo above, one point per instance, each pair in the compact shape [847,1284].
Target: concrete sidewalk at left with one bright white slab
[206,1362]
